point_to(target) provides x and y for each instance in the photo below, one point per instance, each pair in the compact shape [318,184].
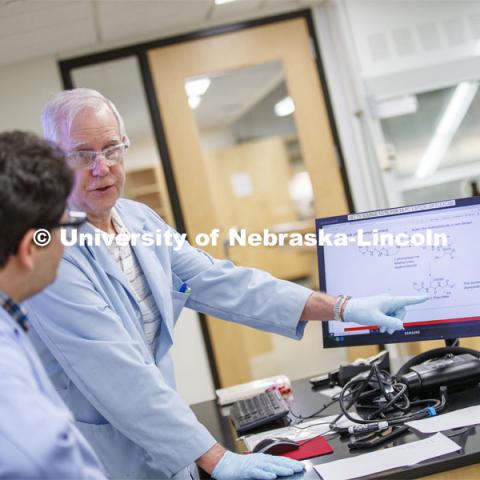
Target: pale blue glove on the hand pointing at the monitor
[384,311]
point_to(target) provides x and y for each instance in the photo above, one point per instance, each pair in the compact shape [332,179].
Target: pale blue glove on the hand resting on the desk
[260,466]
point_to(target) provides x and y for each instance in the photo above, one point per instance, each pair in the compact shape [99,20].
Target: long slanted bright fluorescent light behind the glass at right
[447,128]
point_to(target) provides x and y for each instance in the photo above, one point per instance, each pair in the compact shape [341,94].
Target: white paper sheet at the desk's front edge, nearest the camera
[382,460]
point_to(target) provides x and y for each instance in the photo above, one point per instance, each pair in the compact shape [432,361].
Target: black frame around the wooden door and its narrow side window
[140,50]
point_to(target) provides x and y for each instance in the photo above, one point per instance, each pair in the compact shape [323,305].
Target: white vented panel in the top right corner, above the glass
[392,38]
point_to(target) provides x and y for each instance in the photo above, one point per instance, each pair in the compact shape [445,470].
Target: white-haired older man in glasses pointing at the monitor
[105,327]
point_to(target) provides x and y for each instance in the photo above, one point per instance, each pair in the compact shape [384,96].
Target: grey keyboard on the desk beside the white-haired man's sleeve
[259,410]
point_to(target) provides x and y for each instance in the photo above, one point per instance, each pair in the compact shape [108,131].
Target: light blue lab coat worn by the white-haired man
[89,332]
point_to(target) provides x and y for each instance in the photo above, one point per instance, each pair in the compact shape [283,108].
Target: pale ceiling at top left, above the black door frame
[32,28]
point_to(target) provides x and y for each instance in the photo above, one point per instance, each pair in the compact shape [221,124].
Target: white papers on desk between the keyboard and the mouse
[308,429]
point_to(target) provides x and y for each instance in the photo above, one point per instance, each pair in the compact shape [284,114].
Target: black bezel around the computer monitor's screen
[438,332]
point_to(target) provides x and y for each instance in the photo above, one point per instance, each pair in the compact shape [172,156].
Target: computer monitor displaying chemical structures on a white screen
[449,274]
